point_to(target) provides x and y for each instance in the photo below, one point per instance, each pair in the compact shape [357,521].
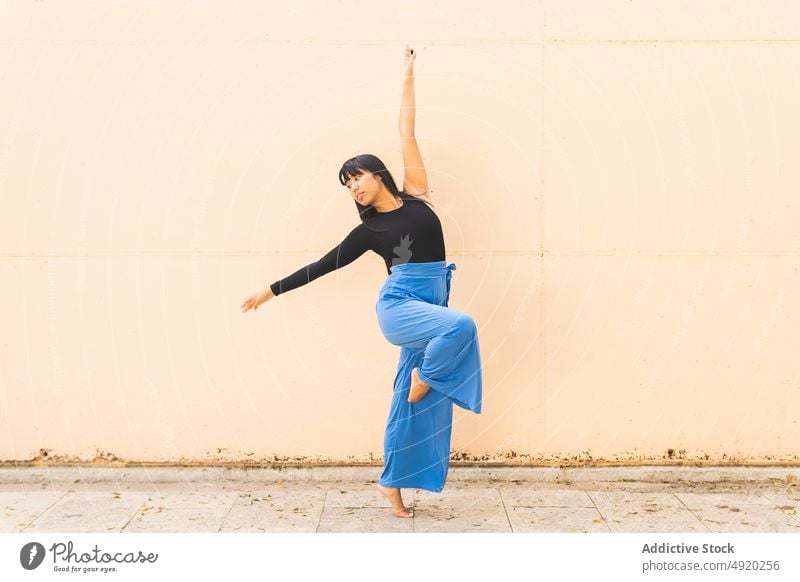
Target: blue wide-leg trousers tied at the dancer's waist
[442,343]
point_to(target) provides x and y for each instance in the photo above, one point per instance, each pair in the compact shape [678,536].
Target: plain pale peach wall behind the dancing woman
[617,181]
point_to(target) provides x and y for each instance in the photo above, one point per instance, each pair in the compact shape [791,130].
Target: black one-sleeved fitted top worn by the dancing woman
[411,233]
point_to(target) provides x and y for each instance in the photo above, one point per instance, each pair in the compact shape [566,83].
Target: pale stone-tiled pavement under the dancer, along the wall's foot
[181,502]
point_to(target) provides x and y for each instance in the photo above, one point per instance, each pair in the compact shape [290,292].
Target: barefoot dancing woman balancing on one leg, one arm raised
[439,357]
